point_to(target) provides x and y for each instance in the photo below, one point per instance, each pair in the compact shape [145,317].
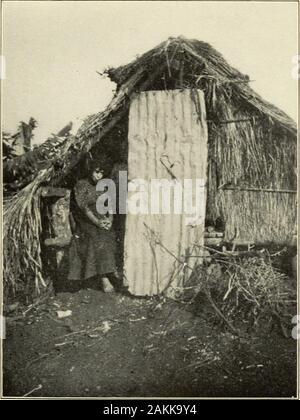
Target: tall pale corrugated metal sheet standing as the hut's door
[165,128]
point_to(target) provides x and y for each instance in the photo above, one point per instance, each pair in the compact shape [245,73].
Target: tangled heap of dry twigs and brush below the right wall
[246,291]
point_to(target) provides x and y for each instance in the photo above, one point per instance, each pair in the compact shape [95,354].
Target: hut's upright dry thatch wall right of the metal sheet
[251,174]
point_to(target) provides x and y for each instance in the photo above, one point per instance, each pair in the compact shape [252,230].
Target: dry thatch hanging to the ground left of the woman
[22,230]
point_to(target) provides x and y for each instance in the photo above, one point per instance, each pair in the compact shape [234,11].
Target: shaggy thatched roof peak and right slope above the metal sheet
[210,63]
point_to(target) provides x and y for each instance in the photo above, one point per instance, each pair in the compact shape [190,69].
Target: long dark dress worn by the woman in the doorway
[92,249]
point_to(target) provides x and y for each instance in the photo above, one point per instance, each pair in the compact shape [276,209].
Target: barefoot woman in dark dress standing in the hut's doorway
[93,246]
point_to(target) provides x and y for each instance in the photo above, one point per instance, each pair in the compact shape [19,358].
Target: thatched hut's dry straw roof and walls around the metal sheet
[251,177]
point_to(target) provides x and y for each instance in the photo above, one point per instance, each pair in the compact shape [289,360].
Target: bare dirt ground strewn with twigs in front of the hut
[114,345]
